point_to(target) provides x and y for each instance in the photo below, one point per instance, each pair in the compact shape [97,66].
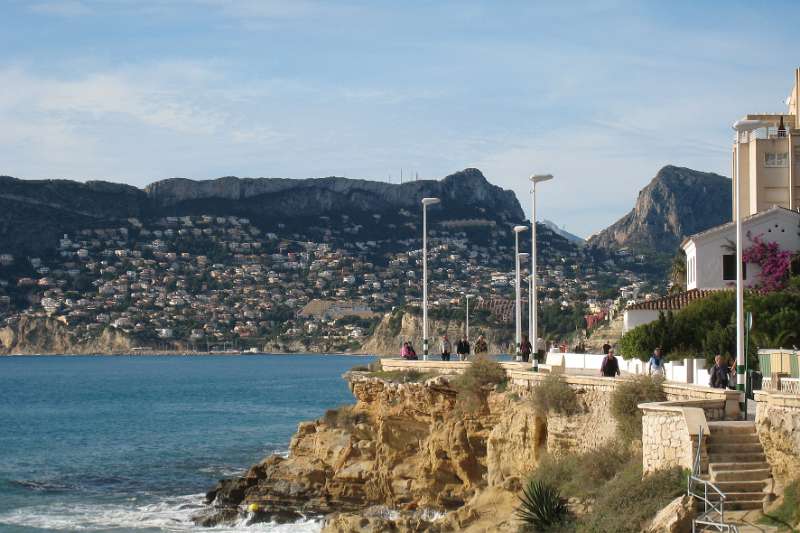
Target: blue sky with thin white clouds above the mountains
[601,94]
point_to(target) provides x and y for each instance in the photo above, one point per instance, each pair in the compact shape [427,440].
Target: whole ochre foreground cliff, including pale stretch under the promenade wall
[407,457]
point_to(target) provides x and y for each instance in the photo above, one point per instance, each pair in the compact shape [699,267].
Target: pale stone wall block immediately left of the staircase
[669,435]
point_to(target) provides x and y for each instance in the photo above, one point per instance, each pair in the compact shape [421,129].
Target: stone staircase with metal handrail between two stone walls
[737,465]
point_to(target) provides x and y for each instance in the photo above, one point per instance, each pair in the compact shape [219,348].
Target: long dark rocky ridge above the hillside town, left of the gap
[35,213]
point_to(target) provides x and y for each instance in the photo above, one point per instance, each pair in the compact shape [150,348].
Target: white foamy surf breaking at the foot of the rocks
[169,515]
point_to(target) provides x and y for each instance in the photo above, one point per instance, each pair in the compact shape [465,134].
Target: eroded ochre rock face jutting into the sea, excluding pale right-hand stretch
[412,454]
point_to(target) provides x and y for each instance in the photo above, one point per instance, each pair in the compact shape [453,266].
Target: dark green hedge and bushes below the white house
[708,327]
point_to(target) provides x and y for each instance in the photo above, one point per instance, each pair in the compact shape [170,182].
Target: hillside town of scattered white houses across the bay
[214,283]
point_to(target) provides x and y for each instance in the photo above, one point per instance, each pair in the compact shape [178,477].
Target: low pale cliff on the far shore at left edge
[45,336]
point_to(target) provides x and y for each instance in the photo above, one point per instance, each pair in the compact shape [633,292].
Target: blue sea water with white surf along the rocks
[118,444]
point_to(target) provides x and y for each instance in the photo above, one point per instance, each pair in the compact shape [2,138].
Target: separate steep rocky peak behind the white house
[676,203]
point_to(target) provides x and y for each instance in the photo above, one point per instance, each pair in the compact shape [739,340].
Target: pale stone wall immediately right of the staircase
[778,426]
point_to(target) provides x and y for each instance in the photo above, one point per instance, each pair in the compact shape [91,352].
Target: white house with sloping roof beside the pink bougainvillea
[711,255]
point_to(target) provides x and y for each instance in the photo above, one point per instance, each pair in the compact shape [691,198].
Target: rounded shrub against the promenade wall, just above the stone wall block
[625,400]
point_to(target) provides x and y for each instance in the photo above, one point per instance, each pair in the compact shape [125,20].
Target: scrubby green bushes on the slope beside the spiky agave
[612,480]
